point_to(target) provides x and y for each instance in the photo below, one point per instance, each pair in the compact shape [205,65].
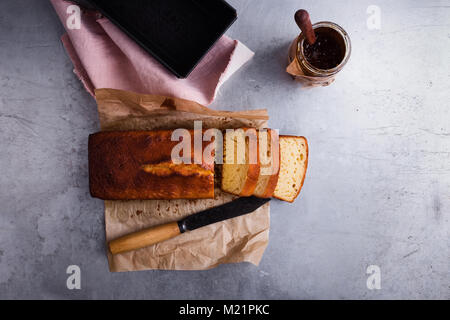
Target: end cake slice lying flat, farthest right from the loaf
[294,161]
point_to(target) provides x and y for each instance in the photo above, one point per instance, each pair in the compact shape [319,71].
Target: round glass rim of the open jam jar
[342,33]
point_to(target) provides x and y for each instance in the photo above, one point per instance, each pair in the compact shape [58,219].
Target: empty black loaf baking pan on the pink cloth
[178,33]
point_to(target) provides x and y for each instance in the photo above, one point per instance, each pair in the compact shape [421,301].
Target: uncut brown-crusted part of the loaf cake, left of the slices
[125,165]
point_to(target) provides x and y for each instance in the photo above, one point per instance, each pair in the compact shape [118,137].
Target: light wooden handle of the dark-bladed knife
[144,238]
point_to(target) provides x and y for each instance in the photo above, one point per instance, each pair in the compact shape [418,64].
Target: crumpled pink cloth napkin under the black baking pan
[104,57]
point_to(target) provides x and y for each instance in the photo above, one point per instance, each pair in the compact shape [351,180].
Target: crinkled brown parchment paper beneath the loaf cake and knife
[236,240]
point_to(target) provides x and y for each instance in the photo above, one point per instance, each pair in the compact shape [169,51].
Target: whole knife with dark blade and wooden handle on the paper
[163,232]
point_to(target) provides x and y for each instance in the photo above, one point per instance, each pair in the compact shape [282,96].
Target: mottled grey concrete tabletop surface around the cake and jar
[377,191]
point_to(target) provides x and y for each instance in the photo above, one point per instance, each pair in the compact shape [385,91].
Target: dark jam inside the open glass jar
[328,50]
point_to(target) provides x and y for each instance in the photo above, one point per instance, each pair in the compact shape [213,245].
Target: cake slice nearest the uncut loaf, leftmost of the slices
[240,169]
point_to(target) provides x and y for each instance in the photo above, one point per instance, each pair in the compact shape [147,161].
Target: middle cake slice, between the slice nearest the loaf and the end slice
[269,158]
